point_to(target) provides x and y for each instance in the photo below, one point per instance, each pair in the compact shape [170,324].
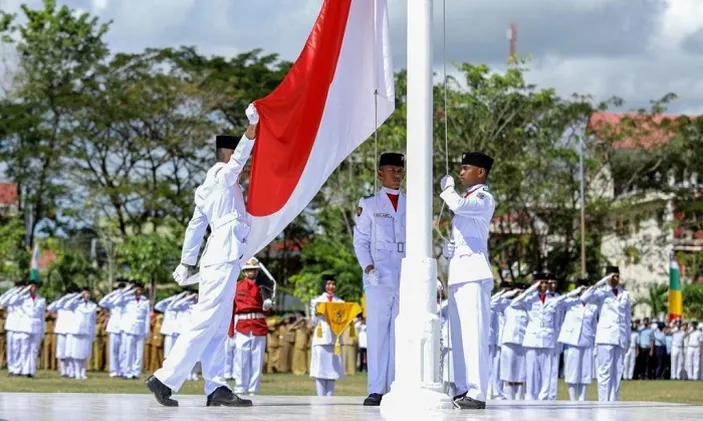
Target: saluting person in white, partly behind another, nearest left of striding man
[114,328]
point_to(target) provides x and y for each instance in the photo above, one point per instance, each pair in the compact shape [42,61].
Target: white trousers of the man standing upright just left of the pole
[381,312]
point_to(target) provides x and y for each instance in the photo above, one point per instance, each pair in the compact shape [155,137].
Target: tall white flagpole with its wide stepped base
[417,382]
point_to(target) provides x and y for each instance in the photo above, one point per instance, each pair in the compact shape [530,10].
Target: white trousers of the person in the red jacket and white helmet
[249,360]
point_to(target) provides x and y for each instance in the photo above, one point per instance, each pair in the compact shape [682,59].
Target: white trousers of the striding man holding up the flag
[204,337]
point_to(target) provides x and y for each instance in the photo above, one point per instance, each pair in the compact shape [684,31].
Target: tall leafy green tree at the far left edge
[58,52]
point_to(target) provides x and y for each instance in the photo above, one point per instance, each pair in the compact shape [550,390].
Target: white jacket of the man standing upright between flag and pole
[380,243]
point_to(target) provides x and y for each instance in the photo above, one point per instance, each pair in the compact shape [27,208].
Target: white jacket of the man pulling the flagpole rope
[472,217]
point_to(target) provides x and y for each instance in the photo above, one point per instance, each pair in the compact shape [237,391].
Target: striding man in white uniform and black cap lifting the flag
[219,204]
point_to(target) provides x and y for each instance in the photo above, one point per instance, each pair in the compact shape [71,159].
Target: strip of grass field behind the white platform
[286,384]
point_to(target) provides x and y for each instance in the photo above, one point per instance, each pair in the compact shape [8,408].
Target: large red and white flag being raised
[321,112]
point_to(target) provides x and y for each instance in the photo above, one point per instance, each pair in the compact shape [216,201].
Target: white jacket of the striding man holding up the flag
[219,203]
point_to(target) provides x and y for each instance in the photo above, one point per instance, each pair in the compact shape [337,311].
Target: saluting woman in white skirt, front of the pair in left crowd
[82,332]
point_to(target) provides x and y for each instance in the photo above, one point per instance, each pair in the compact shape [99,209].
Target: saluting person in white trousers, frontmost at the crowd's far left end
[31,308]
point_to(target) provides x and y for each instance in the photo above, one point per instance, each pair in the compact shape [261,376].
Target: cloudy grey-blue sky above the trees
[636,49]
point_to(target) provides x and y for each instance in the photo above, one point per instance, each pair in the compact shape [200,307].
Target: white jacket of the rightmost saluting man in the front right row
[614,320]
